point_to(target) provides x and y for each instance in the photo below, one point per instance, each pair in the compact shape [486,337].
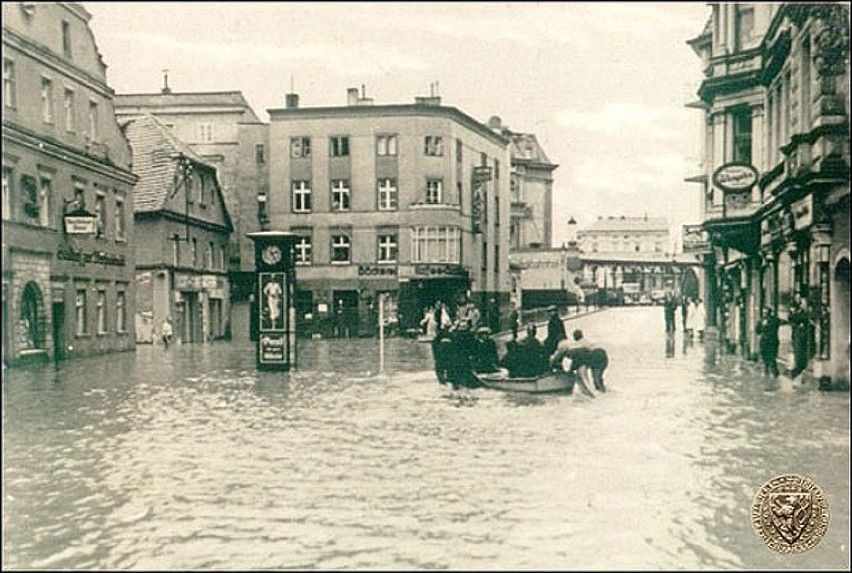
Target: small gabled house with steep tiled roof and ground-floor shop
[181,265]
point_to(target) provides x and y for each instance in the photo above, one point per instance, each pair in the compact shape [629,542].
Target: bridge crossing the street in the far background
[625,278]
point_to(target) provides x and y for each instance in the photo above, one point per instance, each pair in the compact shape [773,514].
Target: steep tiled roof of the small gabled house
[155,152]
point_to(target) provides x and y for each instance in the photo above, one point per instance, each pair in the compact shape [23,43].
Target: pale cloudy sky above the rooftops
[603,86]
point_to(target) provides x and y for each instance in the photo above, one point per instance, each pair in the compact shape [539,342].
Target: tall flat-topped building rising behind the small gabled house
[224,131]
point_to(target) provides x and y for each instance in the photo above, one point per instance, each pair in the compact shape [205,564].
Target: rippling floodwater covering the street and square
[188,458]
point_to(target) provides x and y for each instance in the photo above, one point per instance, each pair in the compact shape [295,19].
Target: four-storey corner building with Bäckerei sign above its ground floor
[407,200]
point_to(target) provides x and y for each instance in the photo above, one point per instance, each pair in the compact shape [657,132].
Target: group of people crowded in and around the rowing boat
[461,351]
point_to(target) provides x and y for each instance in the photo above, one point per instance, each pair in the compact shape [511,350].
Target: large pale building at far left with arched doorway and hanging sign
[67,292]
